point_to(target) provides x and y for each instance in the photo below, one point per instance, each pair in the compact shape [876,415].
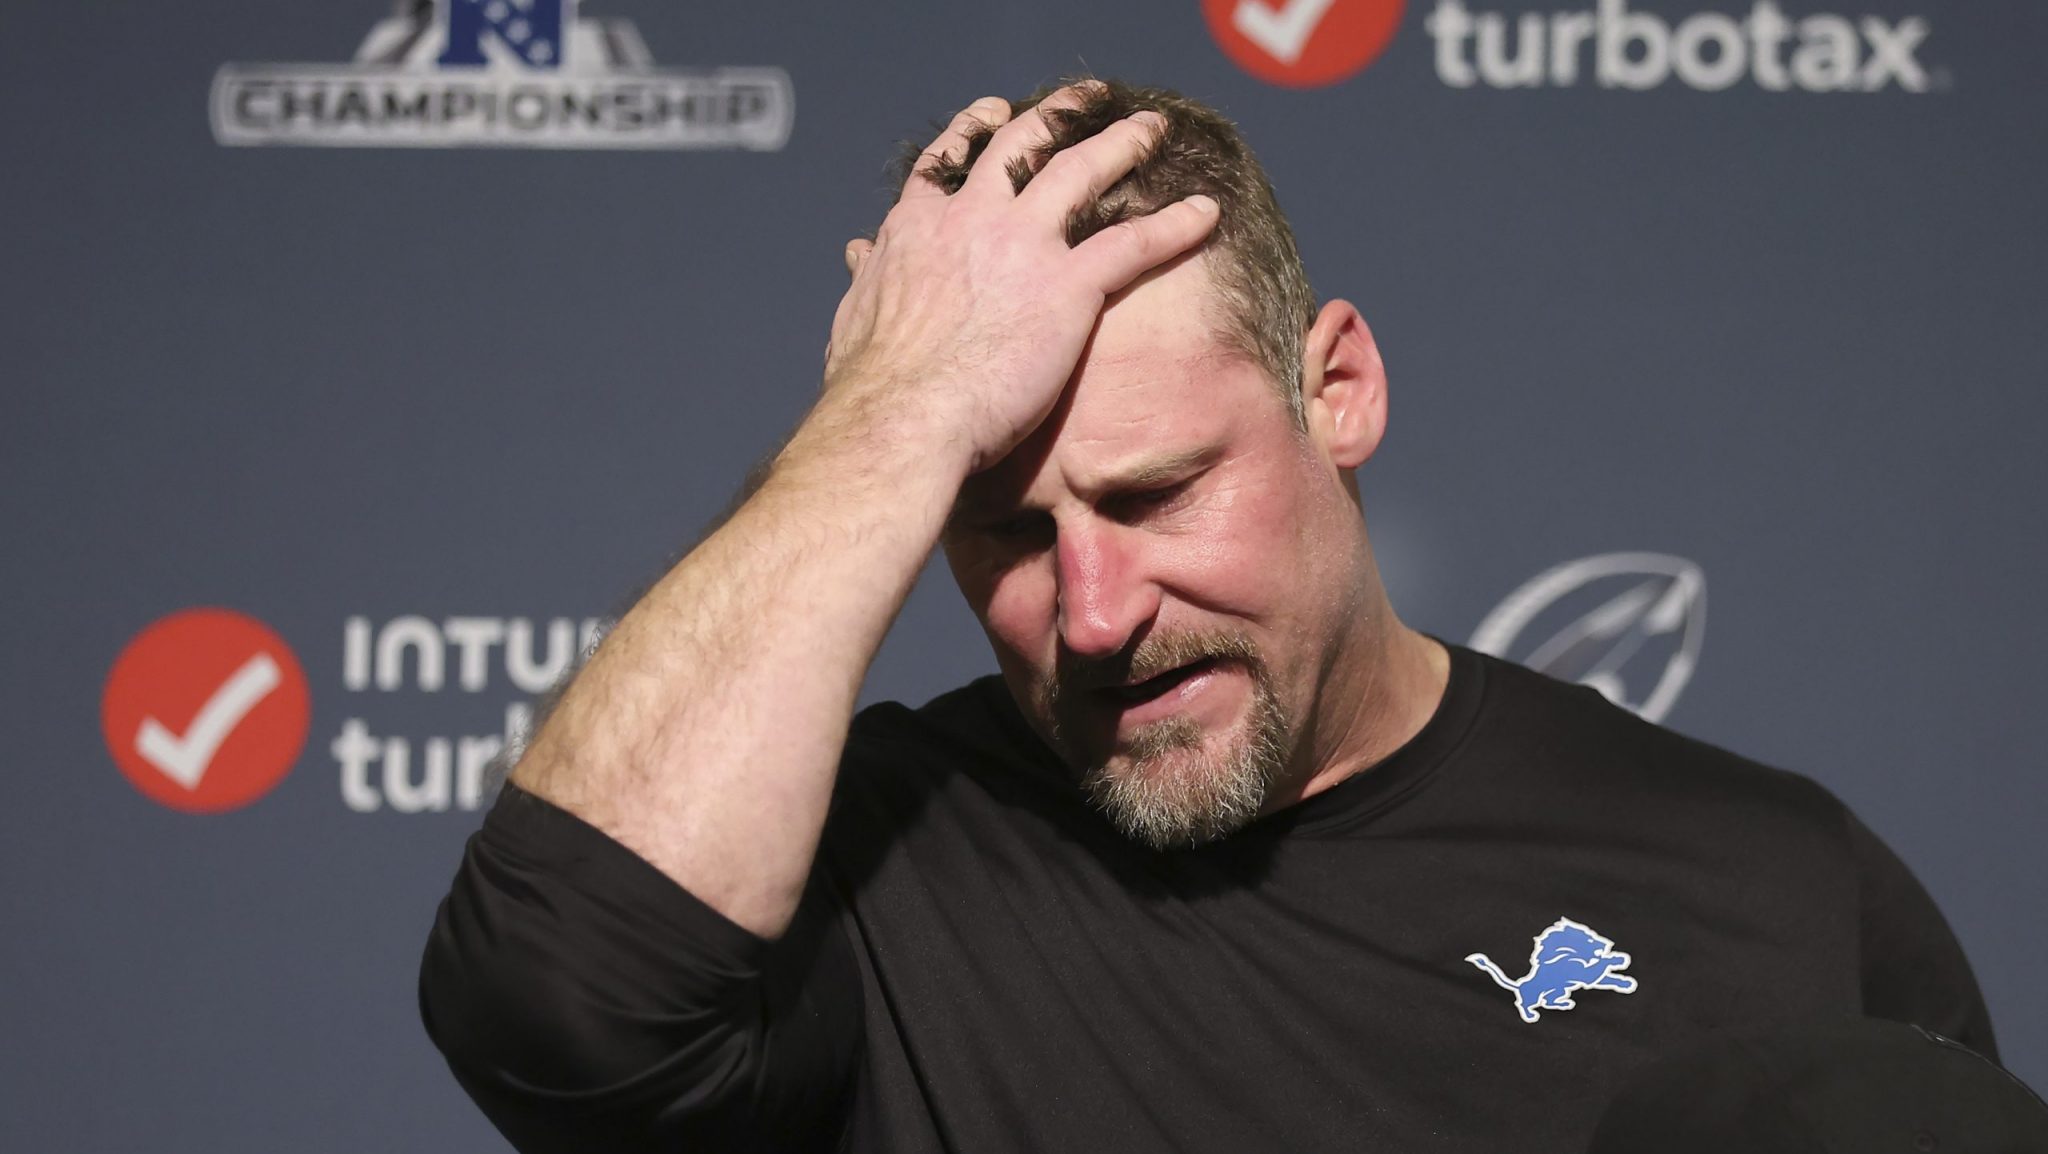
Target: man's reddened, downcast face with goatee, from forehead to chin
[1162,569]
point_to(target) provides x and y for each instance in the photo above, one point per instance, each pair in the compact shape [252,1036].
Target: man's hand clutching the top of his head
[970,313]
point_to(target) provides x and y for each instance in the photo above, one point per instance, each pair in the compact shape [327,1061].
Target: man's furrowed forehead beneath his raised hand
[1158,378]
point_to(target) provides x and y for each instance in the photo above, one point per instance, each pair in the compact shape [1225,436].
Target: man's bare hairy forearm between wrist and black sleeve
[708,731]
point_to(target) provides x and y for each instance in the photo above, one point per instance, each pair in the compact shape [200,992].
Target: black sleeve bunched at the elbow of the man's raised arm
[589,1003]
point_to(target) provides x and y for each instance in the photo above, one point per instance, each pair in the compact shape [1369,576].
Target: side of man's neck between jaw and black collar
[1375,694]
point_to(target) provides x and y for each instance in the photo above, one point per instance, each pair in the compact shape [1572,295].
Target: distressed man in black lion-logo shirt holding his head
[1228,858]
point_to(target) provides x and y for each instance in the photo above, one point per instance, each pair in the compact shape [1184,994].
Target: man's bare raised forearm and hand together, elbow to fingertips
[708,731]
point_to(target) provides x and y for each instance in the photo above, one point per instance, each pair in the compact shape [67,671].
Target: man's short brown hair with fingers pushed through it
[1261,282]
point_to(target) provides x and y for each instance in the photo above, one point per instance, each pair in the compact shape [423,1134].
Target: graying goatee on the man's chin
[1168,792]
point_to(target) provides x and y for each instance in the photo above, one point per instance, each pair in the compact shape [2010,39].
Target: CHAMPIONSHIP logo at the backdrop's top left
[501,75]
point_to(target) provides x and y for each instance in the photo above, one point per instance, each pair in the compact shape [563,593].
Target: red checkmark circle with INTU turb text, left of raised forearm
[208,710]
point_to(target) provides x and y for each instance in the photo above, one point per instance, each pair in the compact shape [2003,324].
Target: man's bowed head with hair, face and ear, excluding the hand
[1172,569]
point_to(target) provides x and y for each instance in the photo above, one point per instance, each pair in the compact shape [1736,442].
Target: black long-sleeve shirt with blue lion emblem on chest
[1463,948]
